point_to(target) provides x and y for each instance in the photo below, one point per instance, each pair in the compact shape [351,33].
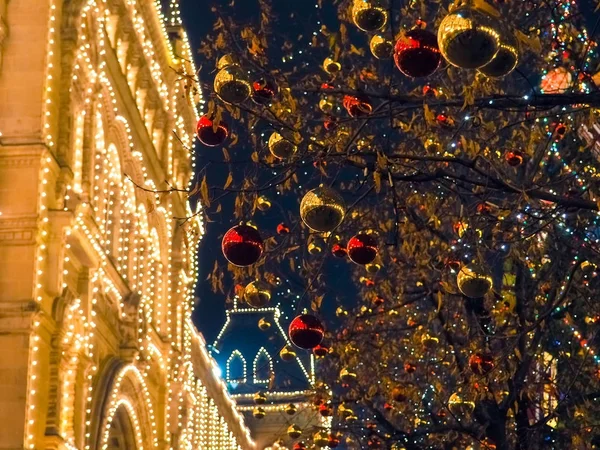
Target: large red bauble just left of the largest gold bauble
[417,53]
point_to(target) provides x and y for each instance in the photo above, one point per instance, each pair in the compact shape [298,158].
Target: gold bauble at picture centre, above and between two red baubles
[322,209]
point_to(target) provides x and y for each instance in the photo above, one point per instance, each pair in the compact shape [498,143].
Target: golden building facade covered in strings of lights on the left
[97,251]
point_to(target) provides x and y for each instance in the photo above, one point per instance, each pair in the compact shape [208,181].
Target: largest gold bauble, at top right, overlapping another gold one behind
[469,38]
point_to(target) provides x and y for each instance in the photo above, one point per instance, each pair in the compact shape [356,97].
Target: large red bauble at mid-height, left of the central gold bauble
[242,245]
